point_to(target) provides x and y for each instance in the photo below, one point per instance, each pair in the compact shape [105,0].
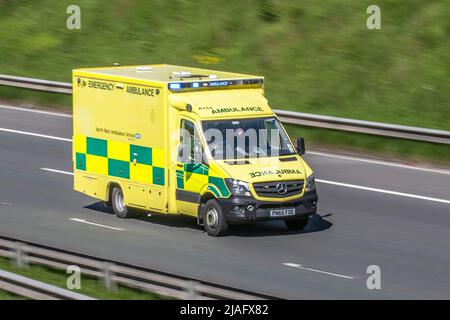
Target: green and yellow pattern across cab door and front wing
[194,177]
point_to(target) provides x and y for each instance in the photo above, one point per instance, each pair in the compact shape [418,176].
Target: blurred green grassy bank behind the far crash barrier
[317,56]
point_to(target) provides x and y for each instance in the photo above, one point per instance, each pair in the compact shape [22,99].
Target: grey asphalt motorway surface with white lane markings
[370,213]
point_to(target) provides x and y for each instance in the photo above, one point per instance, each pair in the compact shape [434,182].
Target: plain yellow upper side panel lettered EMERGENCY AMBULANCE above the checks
[119,111]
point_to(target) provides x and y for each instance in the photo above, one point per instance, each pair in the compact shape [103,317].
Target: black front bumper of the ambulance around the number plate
[304,206]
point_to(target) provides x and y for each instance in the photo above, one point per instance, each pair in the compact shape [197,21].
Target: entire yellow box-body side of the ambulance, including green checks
[118,116]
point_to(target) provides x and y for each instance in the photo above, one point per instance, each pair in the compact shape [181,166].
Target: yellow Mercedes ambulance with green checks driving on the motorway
[175,140]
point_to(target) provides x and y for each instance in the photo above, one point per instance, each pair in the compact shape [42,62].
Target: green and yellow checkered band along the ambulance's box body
[118,159]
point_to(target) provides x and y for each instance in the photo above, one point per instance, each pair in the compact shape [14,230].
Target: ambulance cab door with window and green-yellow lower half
[191,171]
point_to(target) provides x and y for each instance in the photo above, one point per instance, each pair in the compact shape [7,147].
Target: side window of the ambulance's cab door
[190,150]
